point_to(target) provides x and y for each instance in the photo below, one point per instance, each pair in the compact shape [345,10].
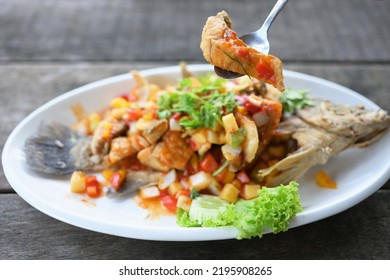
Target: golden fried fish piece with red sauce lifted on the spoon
[221,47]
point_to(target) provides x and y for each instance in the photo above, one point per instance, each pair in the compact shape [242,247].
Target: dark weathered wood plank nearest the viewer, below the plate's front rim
[348,235]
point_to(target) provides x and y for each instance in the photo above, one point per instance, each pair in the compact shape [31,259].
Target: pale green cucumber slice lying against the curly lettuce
[206,207]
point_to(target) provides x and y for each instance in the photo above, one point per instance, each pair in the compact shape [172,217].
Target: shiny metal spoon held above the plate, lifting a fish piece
[257,40]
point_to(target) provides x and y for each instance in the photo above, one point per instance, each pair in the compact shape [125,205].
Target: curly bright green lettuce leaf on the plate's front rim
[271,210]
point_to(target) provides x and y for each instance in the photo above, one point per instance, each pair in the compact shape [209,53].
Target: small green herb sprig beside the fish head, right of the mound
[294,100]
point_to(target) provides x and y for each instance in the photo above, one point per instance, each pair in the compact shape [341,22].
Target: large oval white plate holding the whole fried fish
[358,172]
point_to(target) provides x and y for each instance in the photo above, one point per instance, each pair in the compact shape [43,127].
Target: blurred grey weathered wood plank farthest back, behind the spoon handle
[104,30]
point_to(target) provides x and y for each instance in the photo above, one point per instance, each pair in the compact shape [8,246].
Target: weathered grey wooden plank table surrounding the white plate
[49,47]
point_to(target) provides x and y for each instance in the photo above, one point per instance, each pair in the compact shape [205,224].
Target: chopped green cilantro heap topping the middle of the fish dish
[202,104]
